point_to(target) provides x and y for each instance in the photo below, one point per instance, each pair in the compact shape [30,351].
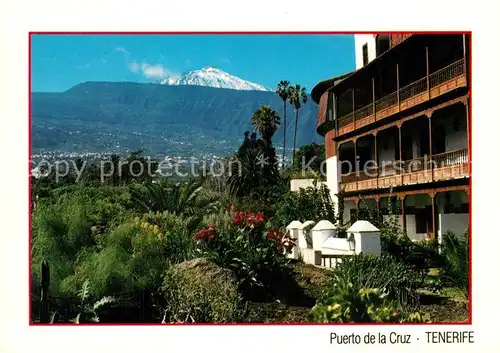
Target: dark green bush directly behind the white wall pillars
[312,203]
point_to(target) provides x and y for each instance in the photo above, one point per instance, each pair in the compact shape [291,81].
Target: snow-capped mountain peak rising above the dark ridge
[212,77]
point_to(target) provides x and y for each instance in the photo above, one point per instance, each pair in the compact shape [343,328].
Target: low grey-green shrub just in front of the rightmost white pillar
[399,280]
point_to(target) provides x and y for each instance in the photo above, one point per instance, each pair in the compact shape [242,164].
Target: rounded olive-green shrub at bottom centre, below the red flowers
[200,291]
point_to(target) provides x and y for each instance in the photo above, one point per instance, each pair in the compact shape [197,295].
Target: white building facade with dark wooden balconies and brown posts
[397,131]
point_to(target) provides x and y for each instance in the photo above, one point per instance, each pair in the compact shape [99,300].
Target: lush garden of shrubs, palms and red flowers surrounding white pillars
[213,249]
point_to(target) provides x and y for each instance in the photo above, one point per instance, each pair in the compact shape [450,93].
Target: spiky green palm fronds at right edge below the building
[455,252]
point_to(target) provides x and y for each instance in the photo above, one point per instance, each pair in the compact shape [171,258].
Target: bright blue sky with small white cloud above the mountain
[61,61]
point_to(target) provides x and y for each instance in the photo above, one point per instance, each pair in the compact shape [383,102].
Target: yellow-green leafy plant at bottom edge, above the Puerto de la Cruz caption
[348,301]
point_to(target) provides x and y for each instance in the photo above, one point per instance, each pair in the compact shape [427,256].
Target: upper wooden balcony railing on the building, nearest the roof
[436,84]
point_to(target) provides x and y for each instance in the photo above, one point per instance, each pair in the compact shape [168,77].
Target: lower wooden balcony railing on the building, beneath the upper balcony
[444,166]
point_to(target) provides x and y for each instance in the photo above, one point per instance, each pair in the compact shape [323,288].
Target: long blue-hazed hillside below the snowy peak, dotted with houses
[106,116]
